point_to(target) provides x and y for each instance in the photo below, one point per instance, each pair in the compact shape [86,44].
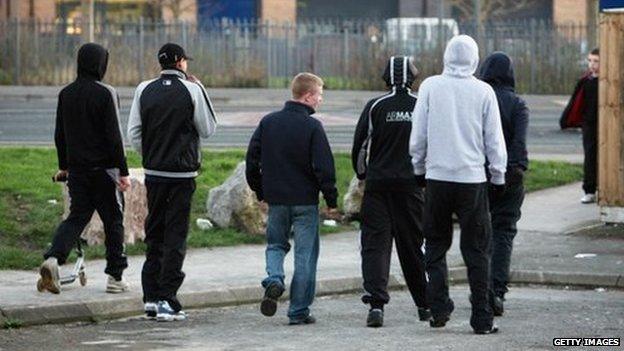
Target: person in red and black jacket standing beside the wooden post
[582,111]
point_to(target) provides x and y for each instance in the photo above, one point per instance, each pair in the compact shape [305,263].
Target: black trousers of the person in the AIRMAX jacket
[388,215]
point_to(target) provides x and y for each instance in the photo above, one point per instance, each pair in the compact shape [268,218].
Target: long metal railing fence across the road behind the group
[348,54]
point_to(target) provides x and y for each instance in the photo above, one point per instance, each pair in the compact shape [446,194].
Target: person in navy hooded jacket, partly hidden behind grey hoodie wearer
[497,70]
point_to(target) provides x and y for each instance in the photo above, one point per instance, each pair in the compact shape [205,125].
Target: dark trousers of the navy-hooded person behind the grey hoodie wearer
[505,214]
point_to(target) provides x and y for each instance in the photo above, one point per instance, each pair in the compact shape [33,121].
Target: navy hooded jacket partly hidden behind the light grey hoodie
[497,70]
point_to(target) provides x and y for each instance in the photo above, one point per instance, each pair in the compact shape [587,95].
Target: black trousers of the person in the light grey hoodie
[470,203]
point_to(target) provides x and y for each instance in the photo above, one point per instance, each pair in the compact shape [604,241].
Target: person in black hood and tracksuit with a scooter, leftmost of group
[91,157]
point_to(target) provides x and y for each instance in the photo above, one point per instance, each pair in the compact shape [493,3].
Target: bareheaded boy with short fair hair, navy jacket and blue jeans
[288,162]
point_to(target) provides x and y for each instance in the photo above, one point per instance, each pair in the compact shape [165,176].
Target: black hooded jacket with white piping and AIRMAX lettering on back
[389,166]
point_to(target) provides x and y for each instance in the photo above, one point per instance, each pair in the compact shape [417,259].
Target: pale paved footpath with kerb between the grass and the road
[546,251]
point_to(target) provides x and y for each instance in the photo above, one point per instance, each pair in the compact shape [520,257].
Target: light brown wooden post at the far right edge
[611,118]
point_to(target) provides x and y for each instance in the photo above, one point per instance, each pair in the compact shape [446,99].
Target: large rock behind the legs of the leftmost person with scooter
[135,211]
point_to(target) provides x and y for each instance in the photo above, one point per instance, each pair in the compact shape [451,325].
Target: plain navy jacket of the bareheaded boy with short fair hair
[289,159]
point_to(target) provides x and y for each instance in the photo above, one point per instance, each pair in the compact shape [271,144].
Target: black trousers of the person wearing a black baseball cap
[166,230]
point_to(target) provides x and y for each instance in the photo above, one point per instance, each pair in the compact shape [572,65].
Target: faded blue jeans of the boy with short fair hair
[302,223]
